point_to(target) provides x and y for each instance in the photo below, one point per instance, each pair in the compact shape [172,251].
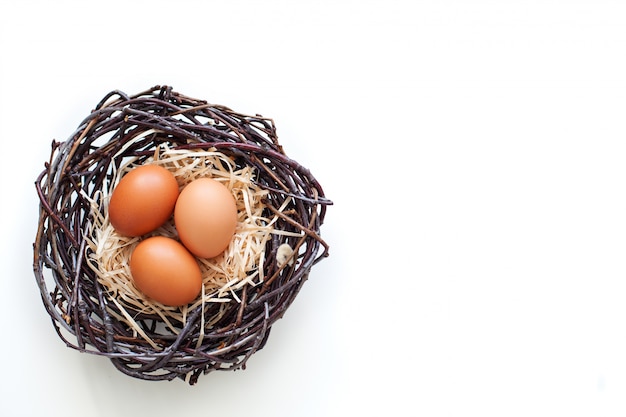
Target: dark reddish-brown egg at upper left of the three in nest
[143,200]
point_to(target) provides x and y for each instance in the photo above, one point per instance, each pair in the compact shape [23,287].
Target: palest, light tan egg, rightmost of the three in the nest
[206,217]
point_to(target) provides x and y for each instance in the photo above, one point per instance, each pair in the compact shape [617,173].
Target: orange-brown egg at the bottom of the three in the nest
[165,271]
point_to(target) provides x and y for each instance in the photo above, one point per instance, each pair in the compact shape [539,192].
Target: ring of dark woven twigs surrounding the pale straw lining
[122,127]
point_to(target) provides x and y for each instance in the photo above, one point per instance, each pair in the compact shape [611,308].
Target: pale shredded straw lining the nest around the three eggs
[240,264]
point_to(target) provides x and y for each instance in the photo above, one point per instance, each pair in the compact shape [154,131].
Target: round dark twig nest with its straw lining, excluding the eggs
[81,262]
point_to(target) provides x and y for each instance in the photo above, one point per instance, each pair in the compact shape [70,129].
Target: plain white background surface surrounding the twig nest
[475,153]
